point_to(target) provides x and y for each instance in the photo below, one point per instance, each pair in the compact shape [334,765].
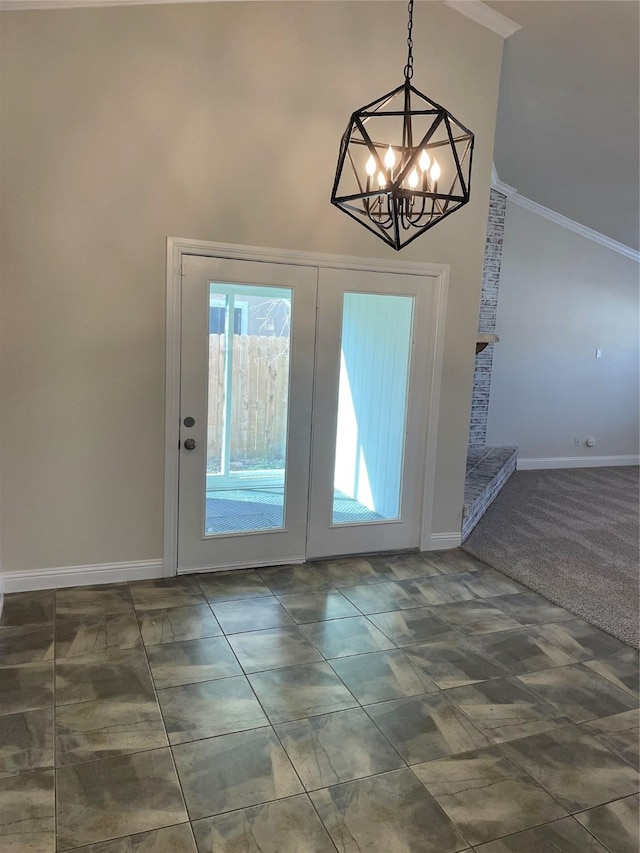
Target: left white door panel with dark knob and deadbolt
[247,356]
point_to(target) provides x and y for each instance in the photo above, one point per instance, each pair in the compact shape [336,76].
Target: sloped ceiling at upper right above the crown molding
[567,134]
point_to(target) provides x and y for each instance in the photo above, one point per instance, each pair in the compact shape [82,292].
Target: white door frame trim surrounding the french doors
[176,248]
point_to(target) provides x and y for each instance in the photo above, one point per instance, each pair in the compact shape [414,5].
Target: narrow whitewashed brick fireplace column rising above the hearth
[487,321]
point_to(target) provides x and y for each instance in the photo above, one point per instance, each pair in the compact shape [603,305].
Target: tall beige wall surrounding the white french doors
[122,126]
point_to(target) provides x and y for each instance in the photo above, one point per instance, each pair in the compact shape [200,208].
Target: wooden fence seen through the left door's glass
[260,388]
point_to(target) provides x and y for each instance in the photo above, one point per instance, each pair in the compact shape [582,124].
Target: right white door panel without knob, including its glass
[373,369]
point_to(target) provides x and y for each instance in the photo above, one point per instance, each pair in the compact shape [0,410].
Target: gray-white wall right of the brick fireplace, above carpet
[562,297]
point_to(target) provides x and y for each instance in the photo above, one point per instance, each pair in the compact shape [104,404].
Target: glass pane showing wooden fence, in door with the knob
[247,408]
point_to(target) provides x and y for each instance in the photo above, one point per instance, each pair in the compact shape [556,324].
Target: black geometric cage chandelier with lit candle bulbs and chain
[404,162]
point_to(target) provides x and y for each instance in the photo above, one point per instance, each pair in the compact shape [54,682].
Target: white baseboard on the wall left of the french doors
[24,581]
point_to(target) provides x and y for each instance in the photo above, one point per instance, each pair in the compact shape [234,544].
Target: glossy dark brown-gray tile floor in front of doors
[420,703]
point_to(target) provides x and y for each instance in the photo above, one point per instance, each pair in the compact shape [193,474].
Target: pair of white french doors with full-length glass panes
[303,399]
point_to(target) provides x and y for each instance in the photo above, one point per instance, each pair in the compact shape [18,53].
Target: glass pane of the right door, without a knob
[372,407]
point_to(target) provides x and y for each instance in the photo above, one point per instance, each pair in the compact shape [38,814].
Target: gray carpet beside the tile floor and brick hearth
[571,535]
